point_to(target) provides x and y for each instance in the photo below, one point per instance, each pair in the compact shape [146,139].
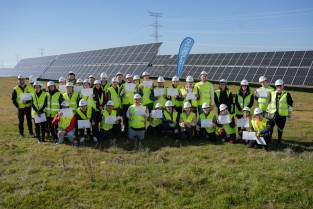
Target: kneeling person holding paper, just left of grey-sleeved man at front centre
[109,127]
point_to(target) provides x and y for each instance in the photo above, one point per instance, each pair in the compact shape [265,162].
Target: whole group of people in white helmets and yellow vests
[178,111]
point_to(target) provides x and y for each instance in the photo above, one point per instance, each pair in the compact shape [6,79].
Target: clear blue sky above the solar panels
[65,26]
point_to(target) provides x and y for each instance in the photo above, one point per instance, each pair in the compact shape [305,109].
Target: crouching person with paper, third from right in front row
[226,131]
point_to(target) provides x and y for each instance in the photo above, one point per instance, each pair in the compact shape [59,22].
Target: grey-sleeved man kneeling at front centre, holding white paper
[137,119]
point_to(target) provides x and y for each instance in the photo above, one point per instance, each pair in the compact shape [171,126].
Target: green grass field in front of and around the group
[157,172]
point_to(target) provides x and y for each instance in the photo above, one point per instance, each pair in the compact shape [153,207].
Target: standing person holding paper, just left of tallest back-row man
[189,88]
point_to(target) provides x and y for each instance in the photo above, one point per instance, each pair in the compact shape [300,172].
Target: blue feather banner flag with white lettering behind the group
[183,54]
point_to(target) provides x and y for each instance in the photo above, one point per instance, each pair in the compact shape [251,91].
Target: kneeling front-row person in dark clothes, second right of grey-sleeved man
[171,120]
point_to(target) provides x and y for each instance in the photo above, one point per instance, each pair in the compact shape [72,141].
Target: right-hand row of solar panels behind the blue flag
[294,67]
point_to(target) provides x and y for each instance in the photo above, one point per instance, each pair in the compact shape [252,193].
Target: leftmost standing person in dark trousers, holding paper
[23,107]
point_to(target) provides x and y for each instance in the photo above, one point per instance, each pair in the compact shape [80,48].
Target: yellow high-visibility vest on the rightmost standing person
[283,109]
